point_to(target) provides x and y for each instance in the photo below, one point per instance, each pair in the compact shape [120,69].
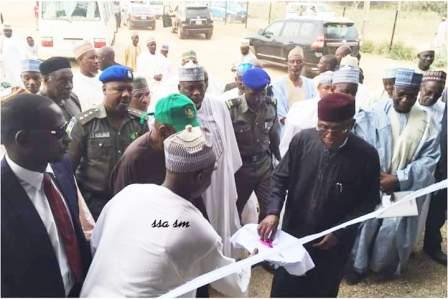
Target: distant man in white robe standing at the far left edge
[11,56]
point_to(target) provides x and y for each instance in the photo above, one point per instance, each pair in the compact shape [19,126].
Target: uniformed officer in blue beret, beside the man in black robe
[255,122]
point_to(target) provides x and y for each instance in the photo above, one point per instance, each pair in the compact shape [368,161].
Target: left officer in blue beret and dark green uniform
[100,135]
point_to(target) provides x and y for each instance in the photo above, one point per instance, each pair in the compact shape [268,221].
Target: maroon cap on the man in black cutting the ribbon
[336,107]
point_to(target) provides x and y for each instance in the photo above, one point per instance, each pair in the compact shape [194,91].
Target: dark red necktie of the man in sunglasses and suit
[65,228]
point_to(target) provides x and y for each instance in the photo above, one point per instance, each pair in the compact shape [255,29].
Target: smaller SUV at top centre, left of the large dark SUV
[193,19]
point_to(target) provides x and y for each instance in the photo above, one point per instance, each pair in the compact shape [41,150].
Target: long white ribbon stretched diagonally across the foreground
[219,273]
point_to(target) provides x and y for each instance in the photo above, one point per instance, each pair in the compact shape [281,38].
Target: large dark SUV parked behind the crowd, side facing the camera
[317,36]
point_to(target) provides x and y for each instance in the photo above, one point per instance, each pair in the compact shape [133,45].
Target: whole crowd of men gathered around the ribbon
[129,180]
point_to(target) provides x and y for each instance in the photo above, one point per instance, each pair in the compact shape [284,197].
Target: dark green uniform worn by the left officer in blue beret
[96,147]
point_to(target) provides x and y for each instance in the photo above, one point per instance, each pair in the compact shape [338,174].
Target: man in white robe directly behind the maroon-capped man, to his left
[303,115]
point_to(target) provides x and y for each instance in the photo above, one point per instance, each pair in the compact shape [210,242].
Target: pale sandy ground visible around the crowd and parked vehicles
[423,278]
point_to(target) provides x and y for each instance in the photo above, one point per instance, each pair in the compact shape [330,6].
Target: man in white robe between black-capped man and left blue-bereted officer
[86,83]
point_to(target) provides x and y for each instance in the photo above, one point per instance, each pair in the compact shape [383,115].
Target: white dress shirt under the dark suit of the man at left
[32,183]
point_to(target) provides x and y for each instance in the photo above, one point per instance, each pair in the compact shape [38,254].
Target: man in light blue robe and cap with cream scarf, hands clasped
[408,147]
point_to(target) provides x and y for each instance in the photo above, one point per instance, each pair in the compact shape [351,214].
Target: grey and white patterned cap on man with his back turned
[188,151]
